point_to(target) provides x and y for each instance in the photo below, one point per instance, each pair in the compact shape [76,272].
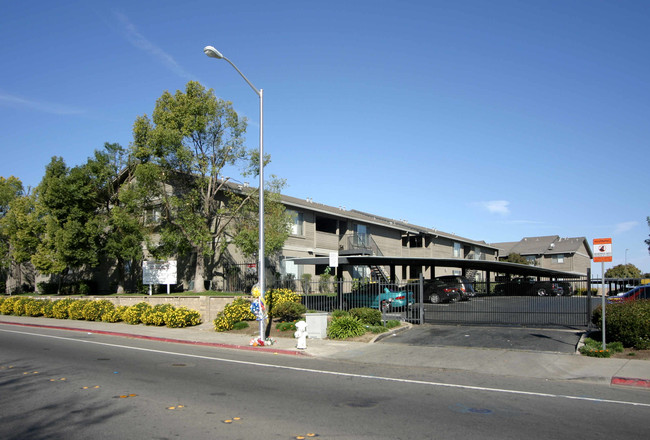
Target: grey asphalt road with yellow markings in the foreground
[57,386]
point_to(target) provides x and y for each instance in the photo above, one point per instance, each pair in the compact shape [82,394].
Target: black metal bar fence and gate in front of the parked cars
[569,305]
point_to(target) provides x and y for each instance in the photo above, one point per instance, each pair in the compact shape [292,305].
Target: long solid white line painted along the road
[336,373]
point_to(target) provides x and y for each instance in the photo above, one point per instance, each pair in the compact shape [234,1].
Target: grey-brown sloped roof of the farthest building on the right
[545,245]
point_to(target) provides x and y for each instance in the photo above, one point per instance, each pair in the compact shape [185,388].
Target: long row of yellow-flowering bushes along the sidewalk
[101,310]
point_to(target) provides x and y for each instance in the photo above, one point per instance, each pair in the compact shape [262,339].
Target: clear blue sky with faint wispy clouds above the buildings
[492,120]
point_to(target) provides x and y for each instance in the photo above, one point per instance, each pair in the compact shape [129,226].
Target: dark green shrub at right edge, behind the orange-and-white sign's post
[627,322]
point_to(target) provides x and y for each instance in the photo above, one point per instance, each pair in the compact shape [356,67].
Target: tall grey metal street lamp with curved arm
[214,53]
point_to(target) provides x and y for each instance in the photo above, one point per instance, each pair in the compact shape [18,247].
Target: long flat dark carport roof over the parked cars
[486,265]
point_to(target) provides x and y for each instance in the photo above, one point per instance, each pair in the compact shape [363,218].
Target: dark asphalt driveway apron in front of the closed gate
[513,338]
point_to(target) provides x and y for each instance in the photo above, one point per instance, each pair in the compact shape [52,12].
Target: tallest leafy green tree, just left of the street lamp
[182,154]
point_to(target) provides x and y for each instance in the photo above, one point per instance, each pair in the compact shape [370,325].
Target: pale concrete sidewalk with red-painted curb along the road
[541,365]
